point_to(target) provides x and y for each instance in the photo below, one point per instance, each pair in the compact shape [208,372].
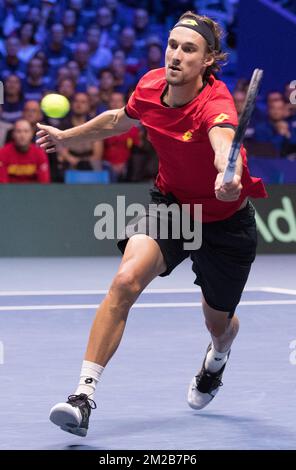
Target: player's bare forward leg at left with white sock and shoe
[142,262]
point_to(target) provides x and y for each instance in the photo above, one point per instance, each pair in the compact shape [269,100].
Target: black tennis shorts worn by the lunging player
[222,263]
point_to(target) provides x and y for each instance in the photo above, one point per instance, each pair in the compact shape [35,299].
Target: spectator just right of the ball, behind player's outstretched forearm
[85,155]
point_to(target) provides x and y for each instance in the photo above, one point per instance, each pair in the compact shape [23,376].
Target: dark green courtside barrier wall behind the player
[59,220]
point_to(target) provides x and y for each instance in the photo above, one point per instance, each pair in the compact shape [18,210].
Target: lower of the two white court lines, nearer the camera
[146,305]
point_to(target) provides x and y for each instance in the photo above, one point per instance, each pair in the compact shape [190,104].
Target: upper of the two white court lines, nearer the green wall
[15,293]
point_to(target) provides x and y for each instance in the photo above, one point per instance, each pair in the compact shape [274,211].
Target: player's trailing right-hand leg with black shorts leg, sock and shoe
[222,267]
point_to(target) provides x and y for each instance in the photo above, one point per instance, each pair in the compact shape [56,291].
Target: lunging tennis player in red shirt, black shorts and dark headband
[190,118]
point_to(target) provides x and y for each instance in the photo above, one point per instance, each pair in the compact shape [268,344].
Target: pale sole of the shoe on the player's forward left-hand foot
[62,415]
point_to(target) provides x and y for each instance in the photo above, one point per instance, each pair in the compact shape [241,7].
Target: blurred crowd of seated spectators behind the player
[94,52]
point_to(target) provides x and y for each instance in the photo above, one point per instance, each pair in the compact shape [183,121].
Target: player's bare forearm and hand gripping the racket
[221,139]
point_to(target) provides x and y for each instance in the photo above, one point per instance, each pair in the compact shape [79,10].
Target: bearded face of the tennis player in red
[186,56]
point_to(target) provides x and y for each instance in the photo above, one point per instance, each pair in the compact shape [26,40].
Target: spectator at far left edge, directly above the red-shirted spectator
[13,99]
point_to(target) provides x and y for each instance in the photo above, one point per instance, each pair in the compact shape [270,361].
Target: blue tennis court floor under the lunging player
[46,309]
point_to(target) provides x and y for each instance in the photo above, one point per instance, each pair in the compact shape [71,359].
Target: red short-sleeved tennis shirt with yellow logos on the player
[180,138]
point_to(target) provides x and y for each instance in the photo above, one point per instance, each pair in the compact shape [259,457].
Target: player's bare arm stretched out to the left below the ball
[110,123]
